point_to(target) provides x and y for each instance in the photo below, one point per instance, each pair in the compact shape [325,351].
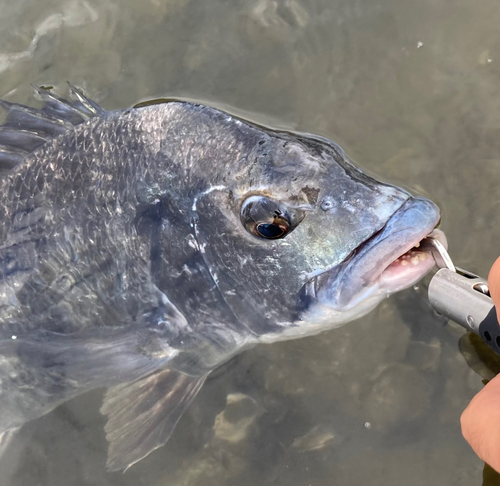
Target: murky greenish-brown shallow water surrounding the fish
[411,91]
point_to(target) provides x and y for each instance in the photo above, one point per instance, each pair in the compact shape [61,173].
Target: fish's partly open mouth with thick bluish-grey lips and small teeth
[389,261]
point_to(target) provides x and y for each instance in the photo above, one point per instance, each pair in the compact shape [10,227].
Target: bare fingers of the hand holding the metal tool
[481,419]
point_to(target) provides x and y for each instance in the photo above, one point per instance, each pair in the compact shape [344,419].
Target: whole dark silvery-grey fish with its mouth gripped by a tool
[140,249]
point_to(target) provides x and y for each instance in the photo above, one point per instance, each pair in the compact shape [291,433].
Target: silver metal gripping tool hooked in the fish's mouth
[463,297]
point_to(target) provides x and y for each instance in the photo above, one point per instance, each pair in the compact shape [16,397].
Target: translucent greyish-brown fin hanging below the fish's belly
[143,414]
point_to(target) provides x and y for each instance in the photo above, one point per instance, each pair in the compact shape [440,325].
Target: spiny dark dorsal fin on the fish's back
[26,128]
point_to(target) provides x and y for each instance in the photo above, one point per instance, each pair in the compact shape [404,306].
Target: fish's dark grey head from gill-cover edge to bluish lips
[298,240]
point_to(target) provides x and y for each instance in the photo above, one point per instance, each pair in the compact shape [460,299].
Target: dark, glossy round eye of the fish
[266,218]
